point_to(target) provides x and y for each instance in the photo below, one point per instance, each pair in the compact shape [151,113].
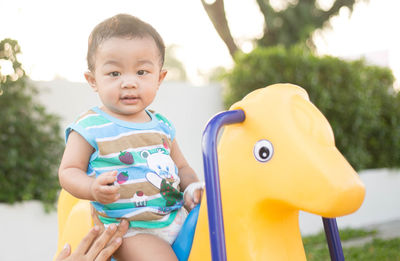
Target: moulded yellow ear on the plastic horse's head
[311,121]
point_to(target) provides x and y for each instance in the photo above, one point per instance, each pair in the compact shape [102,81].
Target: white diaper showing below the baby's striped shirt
[168,233]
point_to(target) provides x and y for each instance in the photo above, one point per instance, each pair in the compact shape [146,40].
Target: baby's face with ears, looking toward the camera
[127,76]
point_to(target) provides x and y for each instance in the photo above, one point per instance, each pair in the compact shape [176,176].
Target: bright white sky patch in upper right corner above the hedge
[372,29]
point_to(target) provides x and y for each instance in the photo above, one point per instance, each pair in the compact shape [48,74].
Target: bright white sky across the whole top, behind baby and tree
[53,33]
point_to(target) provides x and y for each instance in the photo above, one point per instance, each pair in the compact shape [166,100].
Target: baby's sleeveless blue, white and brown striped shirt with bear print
[140,153]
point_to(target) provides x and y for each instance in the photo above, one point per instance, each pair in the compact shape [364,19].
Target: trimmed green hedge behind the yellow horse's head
[358,100]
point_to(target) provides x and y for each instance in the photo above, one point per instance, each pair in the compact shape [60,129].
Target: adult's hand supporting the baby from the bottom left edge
[96,245]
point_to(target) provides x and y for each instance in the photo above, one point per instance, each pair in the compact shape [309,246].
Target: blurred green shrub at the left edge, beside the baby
[30,140]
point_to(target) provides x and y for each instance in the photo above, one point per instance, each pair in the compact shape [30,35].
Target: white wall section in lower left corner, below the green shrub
[27,233]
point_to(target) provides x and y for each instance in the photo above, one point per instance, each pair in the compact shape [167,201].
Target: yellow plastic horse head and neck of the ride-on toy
[261,200]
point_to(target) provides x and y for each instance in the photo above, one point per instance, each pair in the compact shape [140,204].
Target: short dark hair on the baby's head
[122,25]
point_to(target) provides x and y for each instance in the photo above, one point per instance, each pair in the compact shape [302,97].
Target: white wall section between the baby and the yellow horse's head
[189,108]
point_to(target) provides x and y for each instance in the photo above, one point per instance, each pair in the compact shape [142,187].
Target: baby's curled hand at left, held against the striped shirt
[103,189]
